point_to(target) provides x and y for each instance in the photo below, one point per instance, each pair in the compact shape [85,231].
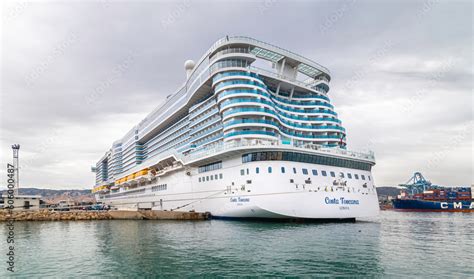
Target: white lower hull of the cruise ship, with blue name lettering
[263,195]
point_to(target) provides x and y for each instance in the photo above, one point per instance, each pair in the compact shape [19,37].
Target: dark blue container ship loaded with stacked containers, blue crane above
[420,195]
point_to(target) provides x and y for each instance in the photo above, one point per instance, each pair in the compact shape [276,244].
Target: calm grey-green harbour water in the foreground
[392,245]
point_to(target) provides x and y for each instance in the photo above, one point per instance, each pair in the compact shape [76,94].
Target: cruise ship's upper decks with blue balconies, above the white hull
[241,93]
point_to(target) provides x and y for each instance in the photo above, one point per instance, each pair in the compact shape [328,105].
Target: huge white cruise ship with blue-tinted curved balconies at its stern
[251,133]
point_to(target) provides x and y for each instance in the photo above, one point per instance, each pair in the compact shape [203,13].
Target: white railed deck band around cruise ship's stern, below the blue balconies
[224,146]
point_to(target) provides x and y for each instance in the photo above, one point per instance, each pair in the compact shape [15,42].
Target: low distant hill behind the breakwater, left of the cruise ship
[54,196]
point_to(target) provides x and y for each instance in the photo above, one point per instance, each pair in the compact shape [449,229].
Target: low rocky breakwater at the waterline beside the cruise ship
[47,215]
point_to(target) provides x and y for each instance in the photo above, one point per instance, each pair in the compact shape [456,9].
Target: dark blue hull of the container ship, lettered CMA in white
[433,205]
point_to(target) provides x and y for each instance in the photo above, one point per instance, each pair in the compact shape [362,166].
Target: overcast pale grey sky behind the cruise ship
[76,76]
